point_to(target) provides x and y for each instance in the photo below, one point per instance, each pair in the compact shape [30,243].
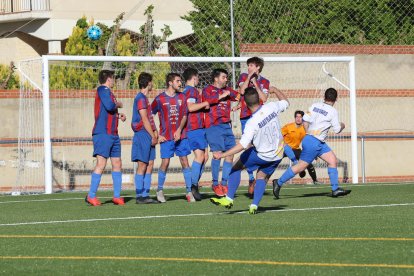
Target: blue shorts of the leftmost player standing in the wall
[106,145]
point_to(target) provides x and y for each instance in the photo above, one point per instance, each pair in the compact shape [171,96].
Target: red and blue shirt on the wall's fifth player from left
[219,112]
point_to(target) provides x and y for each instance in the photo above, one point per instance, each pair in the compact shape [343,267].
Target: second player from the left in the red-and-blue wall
[144,141]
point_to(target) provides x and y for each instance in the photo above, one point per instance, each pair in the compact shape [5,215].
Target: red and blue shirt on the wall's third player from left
[171,111]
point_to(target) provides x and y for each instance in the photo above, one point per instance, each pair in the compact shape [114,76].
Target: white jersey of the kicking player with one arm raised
[263,131]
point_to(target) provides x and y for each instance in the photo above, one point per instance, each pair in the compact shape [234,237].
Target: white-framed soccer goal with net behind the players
[57,114]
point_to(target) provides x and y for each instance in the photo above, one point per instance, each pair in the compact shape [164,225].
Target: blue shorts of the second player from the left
[141,147]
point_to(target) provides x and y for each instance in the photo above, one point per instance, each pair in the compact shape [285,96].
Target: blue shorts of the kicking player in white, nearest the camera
[253,162]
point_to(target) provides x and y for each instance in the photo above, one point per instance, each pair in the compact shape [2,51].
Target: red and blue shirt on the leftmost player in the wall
[106,112]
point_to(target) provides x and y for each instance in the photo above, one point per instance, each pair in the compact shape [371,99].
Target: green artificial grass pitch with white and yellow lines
[369,232]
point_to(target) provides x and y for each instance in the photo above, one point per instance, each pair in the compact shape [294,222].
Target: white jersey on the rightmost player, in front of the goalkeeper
[321,117]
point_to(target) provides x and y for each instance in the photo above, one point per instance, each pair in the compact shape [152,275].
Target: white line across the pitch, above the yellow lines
[205,214]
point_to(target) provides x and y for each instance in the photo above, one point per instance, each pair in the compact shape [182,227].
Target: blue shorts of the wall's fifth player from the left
[220,137]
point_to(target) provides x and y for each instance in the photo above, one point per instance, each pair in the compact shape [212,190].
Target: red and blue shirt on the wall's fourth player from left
[195,120]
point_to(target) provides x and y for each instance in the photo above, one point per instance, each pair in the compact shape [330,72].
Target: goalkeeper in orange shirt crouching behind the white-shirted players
[293,134]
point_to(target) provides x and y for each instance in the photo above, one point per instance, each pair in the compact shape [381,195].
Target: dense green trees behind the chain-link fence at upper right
[360,22]
